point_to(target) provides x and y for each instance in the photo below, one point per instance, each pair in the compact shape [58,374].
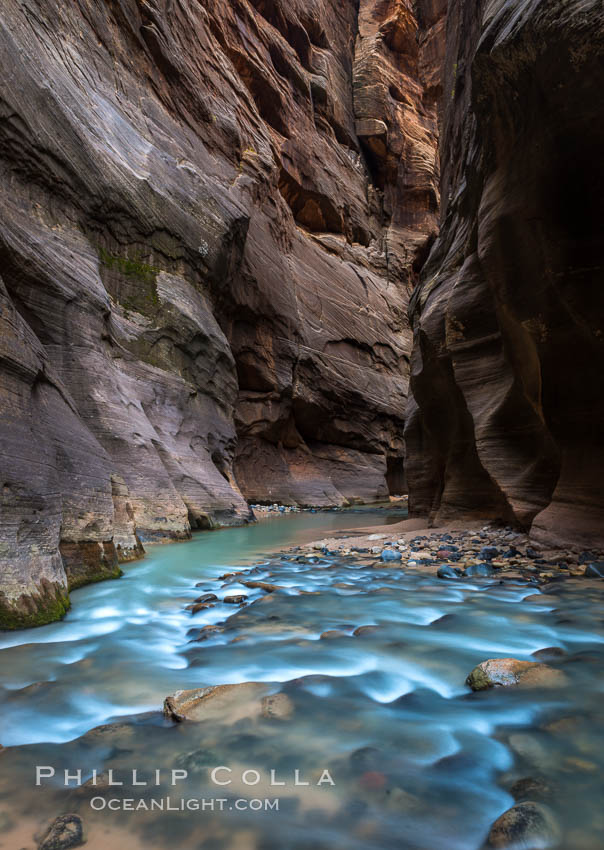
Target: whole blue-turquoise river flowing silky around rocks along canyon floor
[406,756]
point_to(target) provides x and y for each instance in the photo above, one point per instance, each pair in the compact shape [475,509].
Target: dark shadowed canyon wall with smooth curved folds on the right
[507,413]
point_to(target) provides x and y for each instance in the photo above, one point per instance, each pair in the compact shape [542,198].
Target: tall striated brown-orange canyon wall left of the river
[213,215]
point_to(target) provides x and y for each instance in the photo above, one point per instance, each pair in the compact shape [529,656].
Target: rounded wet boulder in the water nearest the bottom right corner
[528,825]
